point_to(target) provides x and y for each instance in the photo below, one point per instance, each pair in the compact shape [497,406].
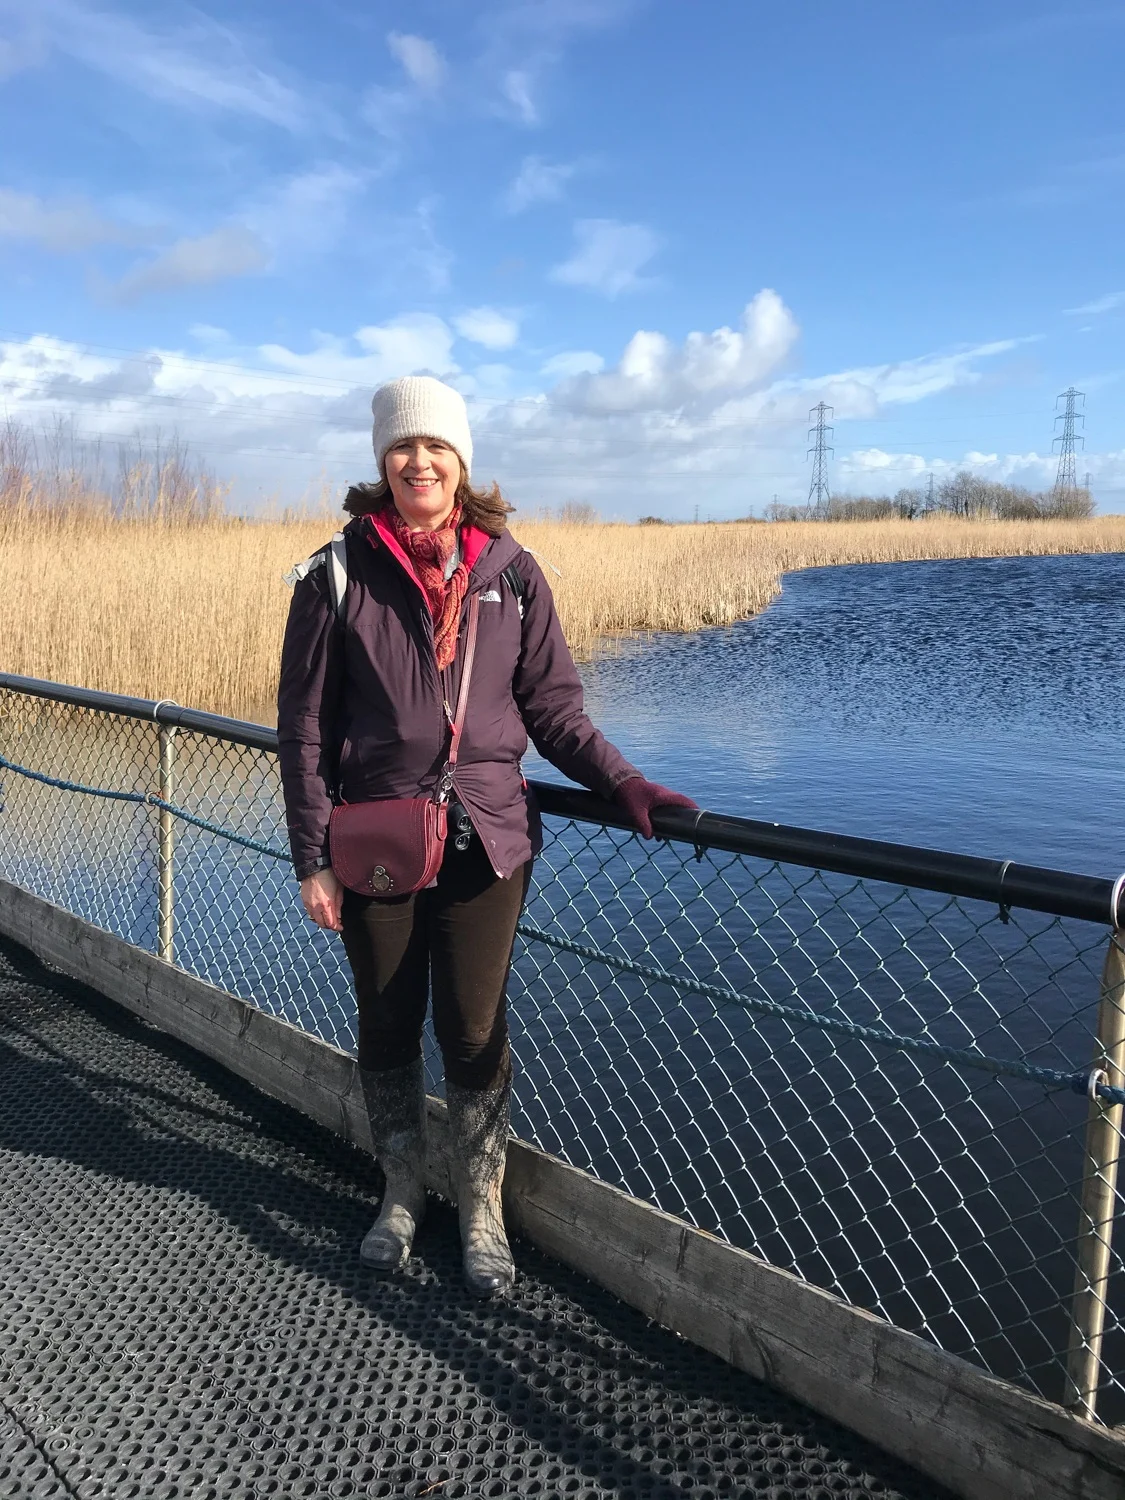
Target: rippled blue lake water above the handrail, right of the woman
[973,706]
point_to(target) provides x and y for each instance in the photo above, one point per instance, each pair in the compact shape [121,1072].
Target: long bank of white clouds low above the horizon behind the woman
[715,416]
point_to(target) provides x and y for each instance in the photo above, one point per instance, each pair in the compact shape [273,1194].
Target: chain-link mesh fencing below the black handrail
[895,1072]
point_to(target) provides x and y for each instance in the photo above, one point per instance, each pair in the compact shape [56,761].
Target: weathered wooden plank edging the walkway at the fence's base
[982,1438]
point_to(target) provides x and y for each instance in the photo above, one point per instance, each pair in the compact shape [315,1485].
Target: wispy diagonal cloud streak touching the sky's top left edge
[203,65]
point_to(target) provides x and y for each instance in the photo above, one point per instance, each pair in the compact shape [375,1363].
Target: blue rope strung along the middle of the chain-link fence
[1078,1082]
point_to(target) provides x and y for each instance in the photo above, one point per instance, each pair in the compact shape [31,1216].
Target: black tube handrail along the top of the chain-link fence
[1003,883]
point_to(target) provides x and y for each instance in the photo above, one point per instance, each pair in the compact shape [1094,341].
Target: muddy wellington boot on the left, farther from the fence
[397,1109]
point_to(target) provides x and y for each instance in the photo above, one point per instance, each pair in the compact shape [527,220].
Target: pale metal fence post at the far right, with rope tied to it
[1099,1193]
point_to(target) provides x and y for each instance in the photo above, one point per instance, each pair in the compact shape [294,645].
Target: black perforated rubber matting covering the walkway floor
[184,1315]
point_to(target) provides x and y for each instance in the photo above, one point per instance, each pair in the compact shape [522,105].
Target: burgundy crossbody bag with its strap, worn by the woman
[395,847]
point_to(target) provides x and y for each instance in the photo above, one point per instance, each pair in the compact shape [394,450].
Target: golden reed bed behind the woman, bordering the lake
[196,611]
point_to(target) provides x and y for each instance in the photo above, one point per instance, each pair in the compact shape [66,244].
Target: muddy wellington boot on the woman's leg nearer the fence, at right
[479,1139]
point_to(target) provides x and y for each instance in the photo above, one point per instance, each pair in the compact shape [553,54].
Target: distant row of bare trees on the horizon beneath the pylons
[964,494]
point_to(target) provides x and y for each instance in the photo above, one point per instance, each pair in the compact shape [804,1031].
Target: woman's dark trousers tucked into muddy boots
[455,938]
